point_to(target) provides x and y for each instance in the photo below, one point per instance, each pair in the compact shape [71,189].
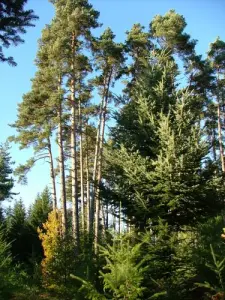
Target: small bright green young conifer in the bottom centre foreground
[123,272]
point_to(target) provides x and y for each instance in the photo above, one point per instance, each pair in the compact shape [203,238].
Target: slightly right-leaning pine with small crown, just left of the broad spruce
[109,61]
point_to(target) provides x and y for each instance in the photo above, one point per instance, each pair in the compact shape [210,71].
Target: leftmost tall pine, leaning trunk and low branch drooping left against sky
[34,126]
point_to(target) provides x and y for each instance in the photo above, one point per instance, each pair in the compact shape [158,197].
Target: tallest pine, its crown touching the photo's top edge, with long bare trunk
[75,23]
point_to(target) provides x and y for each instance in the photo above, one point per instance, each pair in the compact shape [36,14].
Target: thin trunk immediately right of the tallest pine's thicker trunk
[81,169]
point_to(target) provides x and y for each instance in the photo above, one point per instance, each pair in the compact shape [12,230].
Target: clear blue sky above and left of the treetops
[205,21]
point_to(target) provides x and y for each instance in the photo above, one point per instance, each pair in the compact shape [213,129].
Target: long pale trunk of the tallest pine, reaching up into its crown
[75,207]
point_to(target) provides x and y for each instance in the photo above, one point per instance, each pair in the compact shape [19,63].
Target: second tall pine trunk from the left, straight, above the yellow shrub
[62,168]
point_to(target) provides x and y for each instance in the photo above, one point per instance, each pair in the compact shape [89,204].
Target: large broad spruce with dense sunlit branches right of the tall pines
[172,178]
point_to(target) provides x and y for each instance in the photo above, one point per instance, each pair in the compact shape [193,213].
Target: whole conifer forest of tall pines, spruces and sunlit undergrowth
[132,134]
